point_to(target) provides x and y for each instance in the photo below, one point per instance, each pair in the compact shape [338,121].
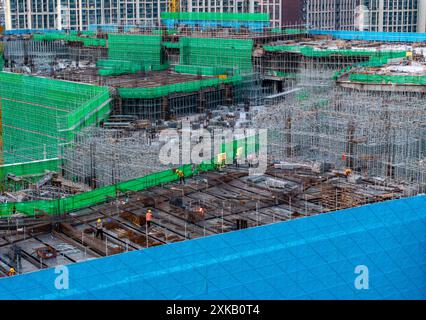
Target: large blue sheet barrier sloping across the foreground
[307,258]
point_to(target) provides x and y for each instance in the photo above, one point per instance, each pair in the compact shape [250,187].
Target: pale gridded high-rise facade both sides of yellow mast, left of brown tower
[79,14]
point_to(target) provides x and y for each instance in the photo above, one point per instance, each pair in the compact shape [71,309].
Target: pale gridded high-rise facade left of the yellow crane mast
[79,14]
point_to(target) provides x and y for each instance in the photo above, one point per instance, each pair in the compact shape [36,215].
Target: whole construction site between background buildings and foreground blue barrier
[82,114]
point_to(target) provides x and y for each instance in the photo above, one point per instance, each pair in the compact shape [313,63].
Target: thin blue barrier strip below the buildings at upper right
[372,36]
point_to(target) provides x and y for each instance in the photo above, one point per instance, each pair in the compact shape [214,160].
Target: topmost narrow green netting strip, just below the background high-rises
[216,16]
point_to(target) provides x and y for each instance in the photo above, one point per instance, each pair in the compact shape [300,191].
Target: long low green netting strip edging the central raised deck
[156,92]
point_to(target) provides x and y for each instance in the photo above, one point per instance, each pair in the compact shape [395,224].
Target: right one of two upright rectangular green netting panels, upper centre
[213,52]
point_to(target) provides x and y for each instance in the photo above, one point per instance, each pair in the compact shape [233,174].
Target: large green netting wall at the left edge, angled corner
[40,113]
